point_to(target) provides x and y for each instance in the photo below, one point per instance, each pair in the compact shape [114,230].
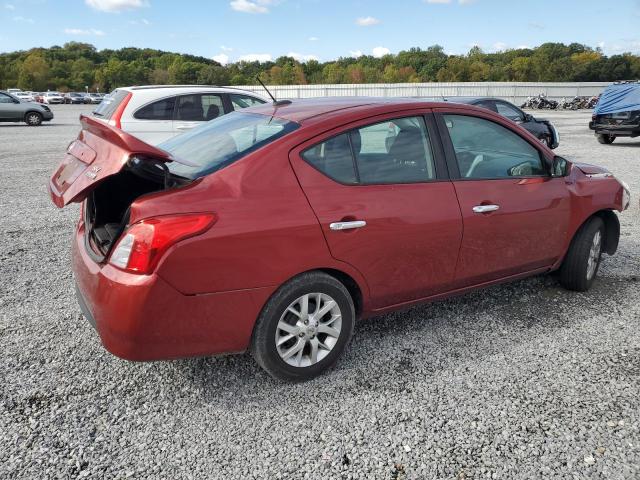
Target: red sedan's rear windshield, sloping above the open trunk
[222,141]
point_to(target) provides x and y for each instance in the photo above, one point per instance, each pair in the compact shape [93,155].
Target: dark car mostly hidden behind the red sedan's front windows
[542,129]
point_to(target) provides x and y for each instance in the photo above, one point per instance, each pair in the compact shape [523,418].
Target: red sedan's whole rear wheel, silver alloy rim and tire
[304,327]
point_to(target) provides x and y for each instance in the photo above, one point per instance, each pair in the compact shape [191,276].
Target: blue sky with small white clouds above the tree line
[232,30]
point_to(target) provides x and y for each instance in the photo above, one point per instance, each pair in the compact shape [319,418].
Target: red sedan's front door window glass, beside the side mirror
[486,150]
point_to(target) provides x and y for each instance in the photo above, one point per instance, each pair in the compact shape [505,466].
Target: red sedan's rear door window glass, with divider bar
[394,151]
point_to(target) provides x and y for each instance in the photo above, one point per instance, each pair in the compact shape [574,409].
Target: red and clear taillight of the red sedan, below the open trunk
[142,245]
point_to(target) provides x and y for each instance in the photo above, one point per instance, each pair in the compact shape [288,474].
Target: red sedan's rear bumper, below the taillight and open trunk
[142,317]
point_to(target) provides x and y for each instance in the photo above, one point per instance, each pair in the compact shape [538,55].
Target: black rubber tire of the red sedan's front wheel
[574,272]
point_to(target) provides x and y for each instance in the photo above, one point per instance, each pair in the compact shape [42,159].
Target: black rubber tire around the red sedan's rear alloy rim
[263,342]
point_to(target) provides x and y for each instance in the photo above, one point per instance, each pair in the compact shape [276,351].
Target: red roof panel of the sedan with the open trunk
[303,110]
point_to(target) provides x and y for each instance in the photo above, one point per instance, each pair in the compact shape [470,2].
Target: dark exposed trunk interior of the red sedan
[107,207]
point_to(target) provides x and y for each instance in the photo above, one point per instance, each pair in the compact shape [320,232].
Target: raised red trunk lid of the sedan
[99,152]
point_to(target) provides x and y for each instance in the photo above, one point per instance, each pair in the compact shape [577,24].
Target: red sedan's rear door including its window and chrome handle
[385,205]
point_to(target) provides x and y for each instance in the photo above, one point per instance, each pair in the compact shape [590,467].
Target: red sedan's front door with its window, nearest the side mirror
[515,214]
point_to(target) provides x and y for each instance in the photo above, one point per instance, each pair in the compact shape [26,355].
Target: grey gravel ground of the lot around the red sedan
[525,380]
